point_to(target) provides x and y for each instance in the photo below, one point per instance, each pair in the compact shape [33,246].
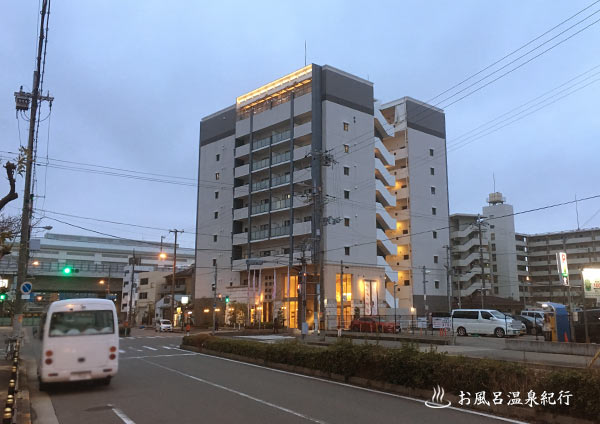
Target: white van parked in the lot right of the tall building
[484,321]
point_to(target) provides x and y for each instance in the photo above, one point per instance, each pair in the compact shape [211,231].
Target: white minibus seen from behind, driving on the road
[80,341]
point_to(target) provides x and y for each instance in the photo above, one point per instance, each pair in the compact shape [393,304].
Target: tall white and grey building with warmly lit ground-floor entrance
[305,179]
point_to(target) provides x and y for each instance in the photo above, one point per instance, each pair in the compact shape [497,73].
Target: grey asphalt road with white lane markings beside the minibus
[158,383]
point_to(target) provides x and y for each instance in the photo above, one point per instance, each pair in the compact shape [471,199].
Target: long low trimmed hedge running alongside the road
[409,367]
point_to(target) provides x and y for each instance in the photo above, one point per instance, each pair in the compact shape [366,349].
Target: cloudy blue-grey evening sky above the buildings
[132,80]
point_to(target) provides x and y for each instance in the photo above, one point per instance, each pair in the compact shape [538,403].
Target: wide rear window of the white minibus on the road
[81,323]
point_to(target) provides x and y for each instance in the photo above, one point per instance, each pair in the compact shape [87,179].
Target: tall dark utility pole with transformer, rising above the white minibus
[22,100]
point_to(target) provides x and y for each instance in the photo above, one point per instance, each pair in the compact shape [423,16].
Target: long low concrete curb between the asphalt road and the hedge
[532,415]
